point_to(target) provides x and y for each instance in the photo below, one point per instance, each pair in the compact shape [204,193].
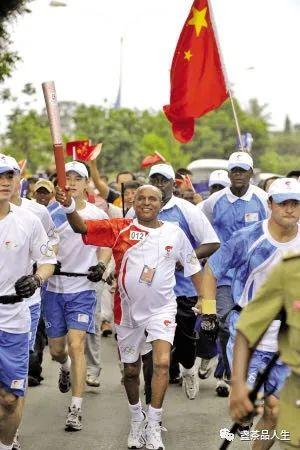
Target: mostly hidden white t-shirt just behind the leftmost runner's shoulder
[43,214]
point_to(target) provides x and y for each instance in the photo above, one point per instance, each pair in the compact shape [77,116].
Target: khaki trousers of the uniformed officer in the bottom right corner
[289,413]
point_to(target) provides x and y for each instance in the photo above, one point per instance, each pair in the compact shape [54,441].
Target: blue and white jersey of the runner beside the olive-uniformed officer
[251,253]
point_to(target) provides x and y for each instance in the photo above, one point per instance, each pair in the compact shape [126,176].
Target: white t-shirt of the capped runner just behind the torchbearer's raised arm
[75,257]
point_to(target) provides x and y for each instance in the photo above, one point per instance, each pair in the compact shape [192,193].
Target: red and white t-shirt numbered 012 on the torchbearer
[134,248]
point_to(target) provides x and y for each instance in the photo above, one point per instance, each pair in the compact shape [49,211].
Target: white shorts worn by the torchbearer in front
[133,342]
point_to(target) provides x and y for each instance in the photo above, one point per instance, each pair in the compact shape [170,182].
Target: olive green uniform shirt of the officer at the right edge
[280,291]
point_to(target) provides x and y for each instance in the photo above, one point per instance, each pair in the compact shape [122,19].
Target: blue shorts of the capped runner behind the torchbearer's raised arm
[62,312]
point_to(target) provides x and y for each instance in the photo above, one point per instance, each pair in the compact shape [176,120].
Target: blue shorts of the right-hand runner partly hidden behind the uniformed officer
[259,361]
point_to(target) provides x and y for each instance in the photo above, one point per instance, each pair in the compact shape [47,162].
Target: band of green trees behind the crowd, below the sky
[129,135]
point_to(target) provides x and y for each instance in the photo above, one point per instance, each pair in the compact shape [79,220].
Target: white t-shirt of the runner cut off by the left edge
[22,240]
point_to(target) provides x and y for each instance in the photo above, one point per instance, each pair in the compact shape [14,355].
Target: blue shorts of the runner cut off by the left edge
[14,358]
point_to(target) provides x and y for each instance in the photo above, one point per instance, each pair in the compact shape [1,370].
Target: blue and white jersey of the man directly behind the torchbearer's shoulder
[197,229]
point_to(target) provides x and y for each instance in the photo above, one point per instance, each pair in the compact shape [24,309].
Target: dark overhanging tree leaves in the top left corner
[9,9]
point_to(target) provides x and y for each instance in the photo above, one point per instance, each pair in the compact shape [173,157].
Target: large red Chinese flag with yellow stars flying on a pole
[197,79]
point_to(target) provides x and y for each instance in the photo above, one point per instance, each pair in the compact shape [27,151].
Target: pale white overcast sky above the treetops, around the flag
[78,46]
